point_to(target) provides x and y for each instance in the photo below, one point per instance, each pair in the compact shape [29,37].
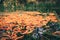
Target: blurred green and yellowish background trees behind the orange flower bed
[30,5]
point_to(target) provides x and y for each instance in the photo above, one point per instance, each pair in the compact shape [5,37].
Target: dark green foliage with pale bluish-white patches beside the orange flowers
[46,32]
